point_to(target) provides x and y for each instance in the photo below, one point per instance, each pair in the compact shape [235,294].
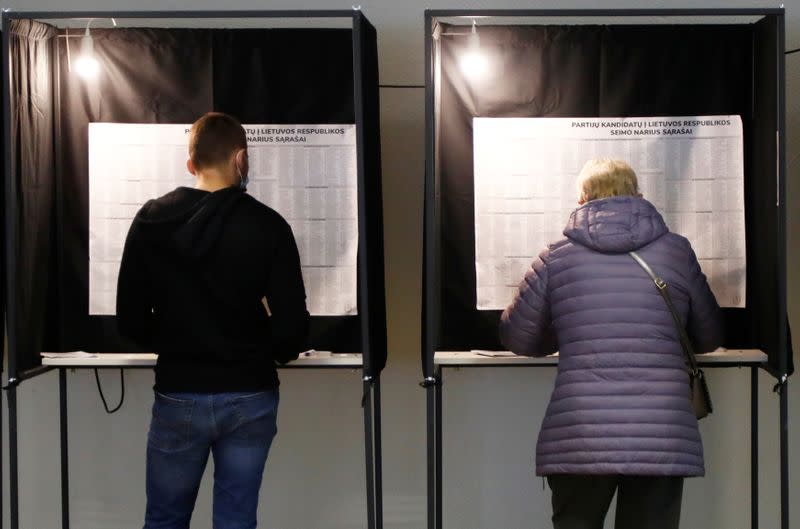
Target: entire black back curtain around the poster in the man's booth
[174,76]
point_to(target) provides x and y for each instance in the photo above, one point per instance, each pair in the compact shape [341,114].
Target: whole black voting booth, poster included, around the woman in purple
[517,101]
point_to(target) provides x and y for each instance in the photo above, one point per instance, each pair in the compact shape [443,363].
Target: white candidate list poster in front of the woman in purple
[526,176]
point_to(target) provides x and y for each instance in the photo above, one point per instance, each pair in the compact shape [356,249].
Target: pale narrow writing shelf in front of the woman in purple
[720,358]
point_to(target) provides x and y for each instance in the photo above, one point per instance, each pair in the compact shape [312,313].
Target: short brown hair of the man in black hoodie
[213,138]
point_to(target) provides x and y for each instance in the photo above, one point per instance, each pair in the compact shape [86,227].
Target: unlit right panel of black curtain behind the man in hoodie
[287,76]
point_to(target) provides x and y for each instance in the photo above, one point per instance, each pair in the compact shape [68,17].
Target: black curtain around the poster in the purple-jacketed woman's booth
[602,71]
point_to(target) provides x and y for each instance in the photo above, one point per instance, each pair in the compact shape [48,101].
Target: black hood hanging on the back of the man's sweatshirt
[187,221]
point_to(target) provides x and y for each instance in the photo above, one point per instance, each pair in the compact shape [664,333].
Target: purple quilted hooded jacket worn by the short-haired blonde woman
[621,399]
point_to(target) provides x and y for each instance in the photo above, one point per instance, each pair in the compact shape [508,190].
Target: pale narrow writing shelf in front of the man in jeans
[102,360]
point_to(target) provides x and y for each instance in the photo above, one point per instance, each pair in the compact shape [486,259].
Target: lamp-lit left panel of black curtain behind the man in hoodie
[147,76]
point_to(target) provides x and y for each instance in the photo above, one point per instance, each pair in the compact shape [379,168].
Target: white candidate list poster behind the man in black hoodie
[305,172]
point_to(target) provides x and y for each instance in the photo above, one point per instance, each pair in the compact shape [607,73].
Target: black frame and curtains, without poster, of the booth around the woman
[450,320]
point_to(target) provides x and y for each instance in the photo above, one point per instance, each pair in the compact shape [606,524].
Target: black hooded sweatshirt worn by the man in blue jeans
[212,283]
